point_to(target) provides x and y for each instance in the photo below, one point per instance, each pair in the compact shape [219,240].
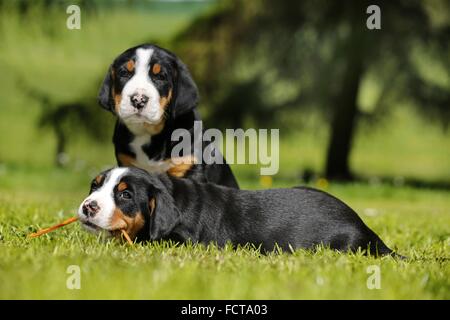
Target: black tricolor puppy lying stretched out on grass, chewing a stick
[154,207]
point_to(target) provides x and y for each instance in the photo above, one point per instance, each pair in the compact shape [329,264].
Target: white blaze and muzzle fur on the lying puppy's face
[105,199]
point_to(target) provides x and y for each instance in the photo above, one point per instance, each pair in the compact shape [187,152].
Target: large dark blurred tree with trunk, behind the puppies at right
[324,53]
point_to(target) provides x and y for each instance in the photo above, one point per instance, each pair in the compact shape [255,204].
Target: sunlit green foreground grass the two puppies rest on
[36,268]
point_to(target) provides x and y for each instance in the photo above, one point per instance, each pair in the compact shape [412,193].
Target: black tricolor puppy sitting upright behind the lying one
[152,93]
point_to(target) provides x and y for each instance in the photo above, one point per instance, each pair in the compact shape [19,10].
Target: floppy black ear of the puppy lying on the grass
[164,215]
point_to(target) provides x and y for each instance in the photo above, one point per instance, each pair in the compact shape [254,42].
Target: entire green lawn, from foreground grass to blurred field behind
[34,194]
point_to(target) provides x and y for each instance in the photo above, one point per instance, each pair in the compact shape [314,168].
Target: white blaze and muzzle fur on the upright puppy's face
[140,83]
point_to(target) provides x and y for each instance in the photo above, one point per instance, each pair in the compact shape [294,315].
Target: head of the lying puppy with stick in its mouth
[129,199]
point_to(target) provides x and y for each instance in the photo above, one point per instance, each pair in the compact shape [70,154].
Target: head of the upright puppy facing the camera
[144,85]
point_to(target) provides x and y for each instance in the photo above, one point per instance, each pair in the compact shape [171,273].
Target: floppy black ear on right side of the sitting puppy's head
[187,95]
